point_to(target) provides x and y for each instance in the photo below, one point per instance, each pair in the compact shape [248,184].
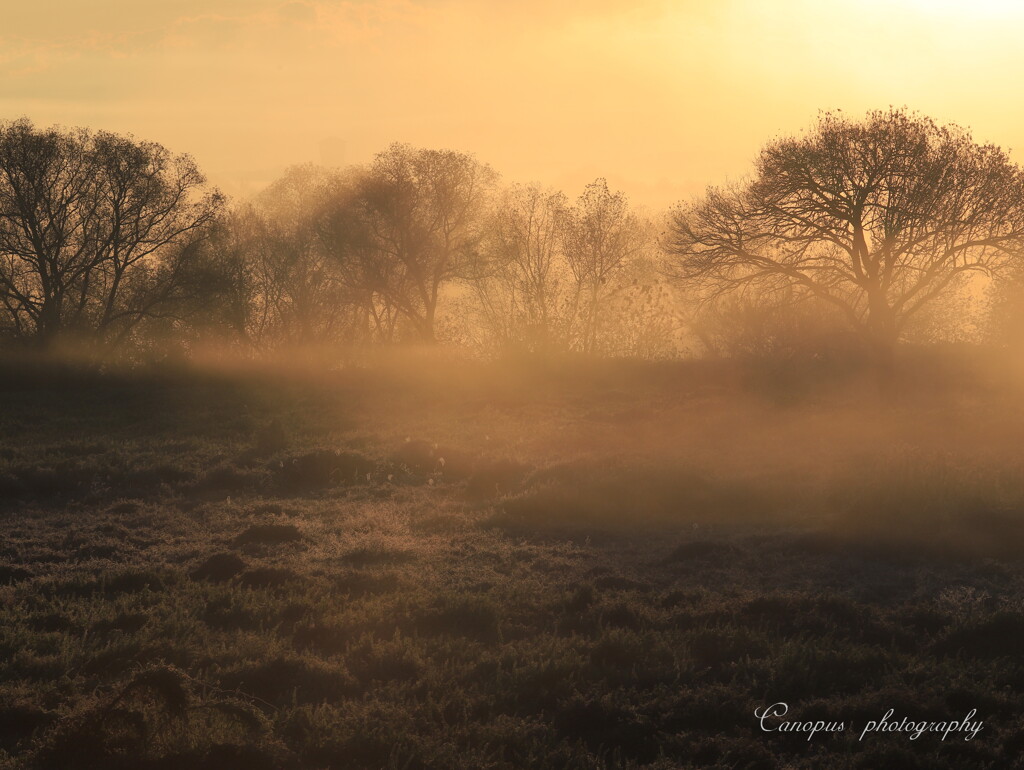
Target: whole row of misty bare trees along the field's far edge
[859,233]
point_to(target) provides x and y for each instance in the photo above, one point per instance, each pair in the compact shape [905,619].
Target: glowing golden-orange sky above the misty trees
[663,99]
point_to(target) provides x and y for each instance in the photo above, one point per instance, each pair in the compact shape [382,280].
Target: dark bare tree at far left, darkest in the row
[96,231]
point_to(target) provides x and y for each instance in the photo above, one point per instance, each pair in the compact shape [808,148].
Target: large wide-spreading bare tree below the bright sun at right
[877,219]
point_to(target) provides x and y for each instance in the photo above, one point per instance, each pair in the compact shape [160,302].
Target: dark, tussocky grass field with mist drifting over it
[577,568]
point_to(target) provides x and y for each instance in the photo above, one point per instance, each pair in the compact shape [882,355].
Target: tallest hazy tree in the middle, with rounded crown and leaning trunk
[422,211]
